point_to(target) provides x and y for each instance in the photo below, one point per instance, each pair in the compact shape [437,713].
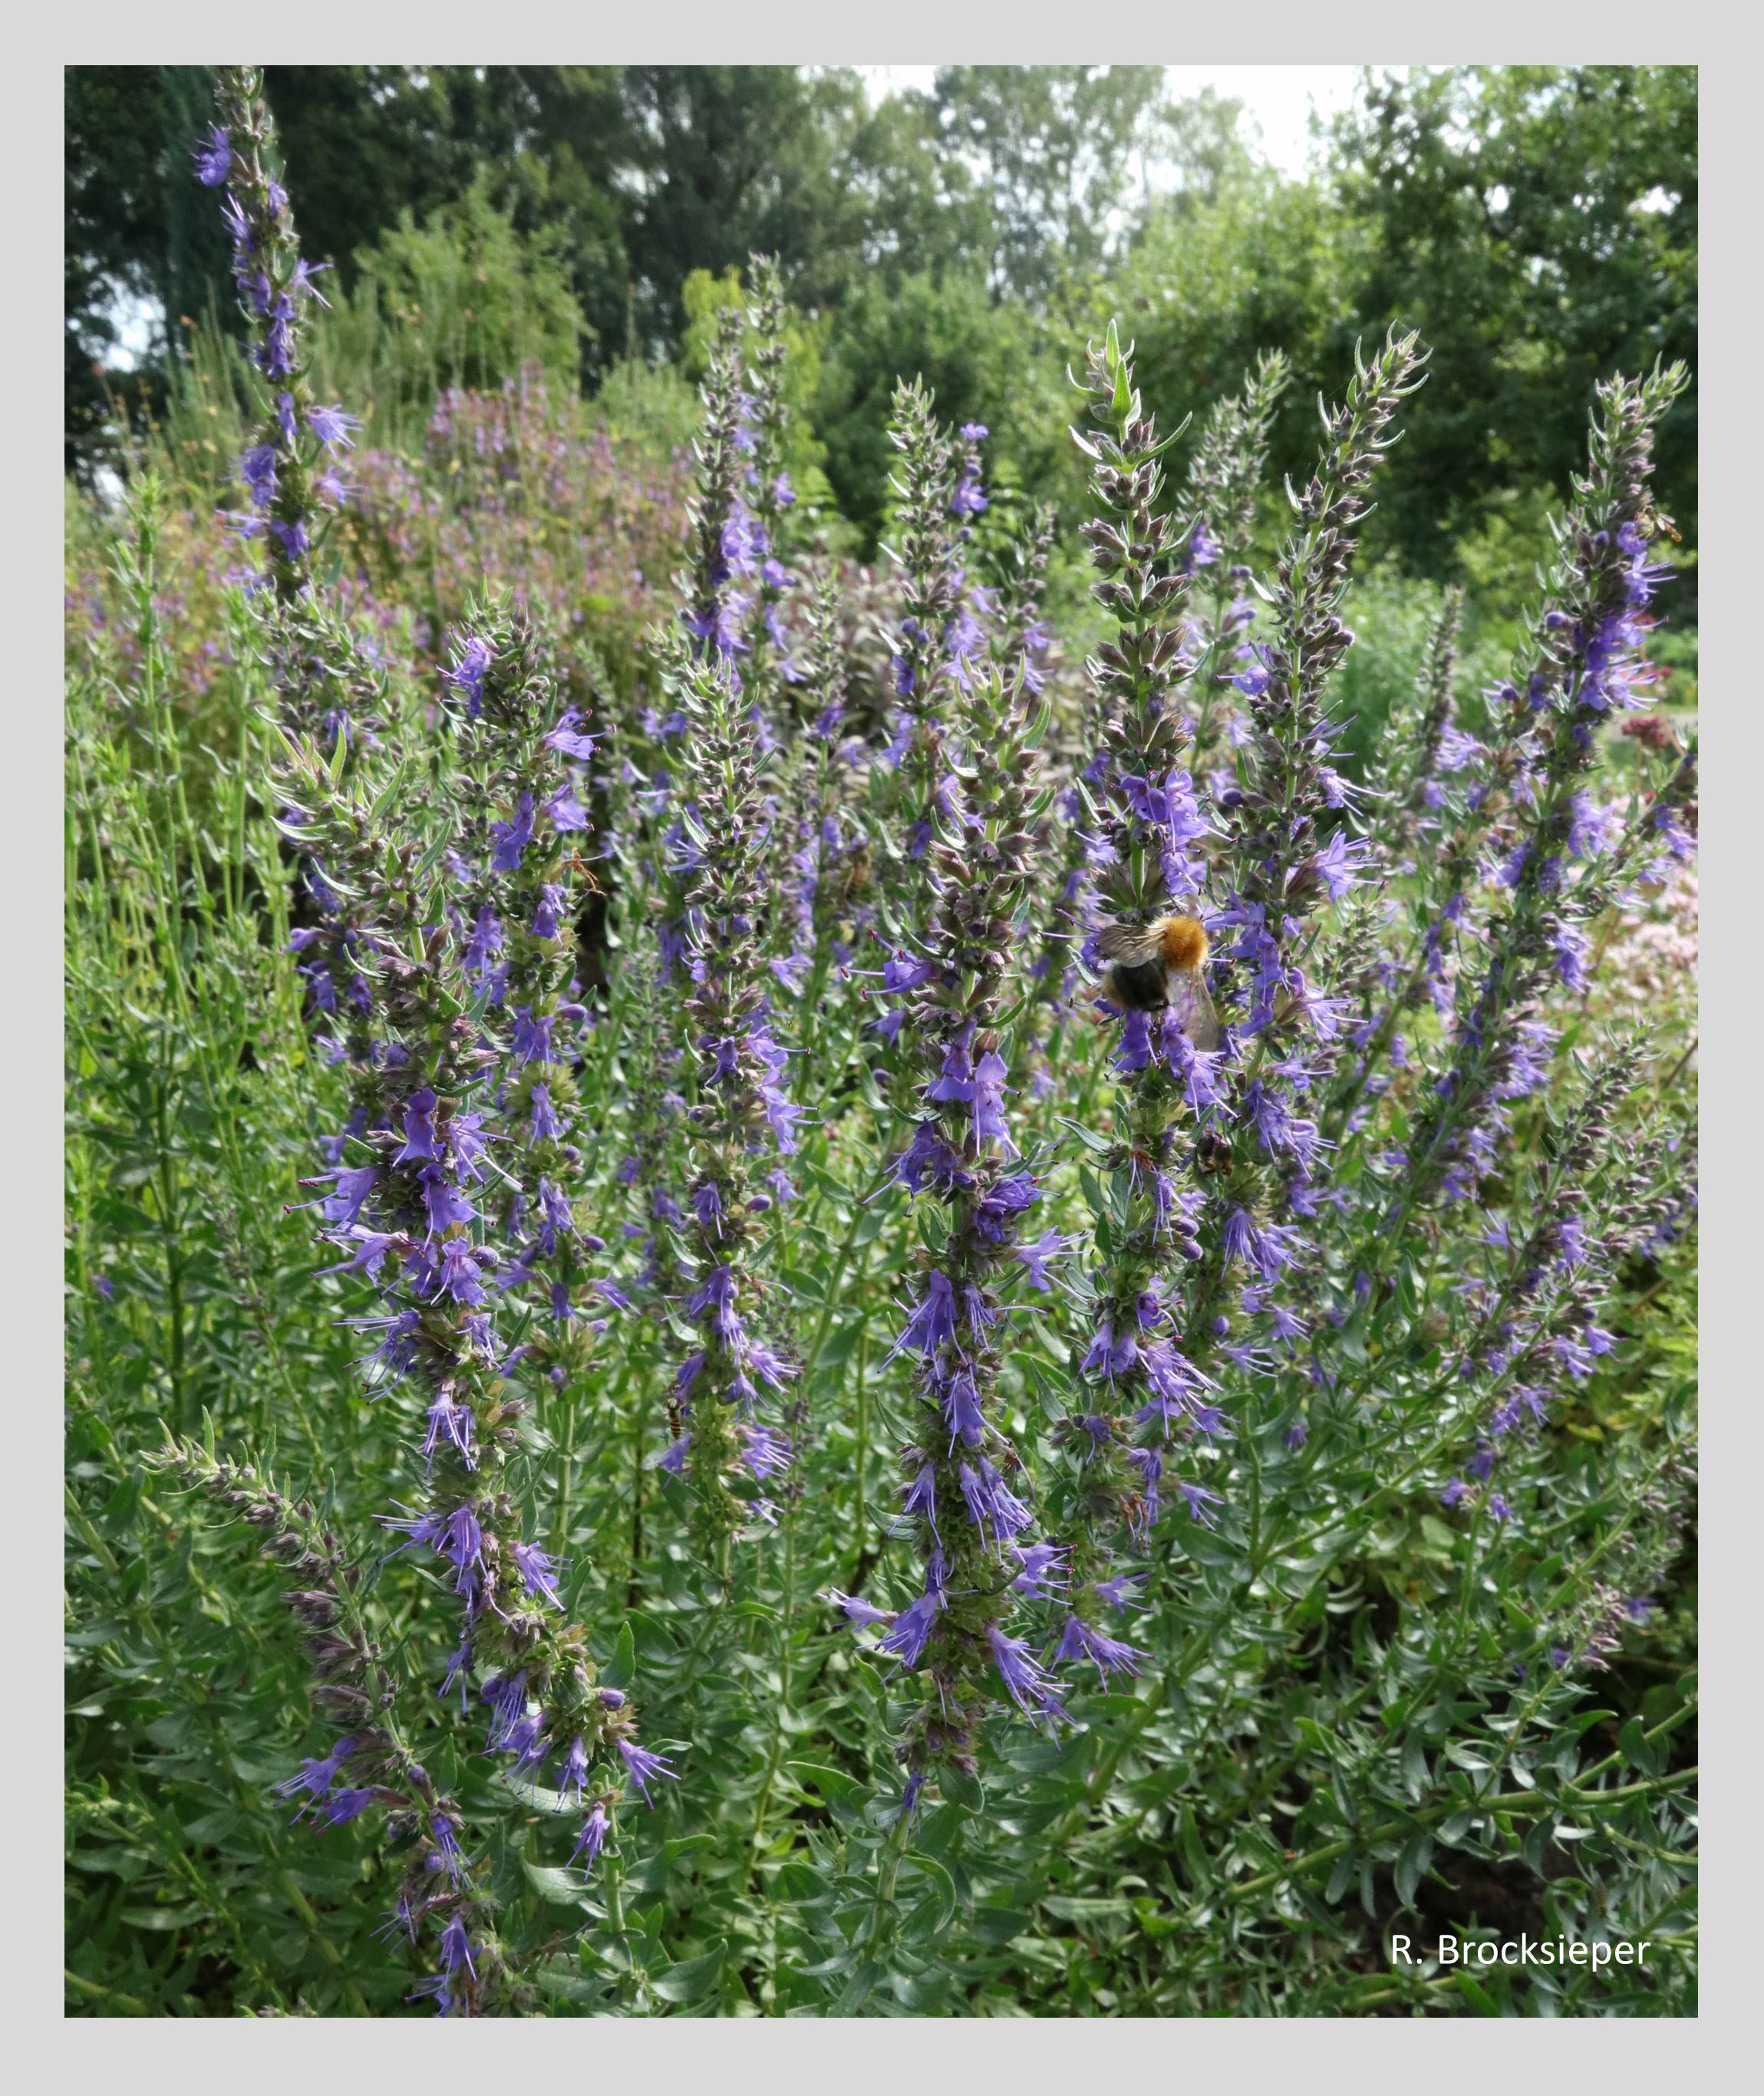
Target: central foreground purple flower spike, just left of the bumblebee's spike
[963,1470]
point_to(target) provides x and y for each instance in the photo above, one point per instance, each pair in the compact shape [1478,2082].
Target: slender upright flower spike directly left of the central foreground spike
[738,1114]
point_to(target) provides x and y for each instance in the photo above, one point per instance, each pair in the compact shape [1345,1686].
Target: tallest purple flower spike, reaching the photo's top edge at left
[292,466]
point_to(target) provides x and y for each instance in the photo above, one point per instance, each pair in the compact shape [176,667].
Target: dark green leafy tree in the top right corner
[1539,225]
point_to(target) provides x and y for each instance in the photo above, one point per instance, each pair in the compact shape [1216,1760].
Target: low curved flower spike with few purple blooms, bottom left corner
[372,1766]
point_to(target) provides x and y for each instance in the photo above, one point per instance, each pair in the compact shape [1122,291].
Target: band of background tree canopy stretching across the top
[1539,225]
